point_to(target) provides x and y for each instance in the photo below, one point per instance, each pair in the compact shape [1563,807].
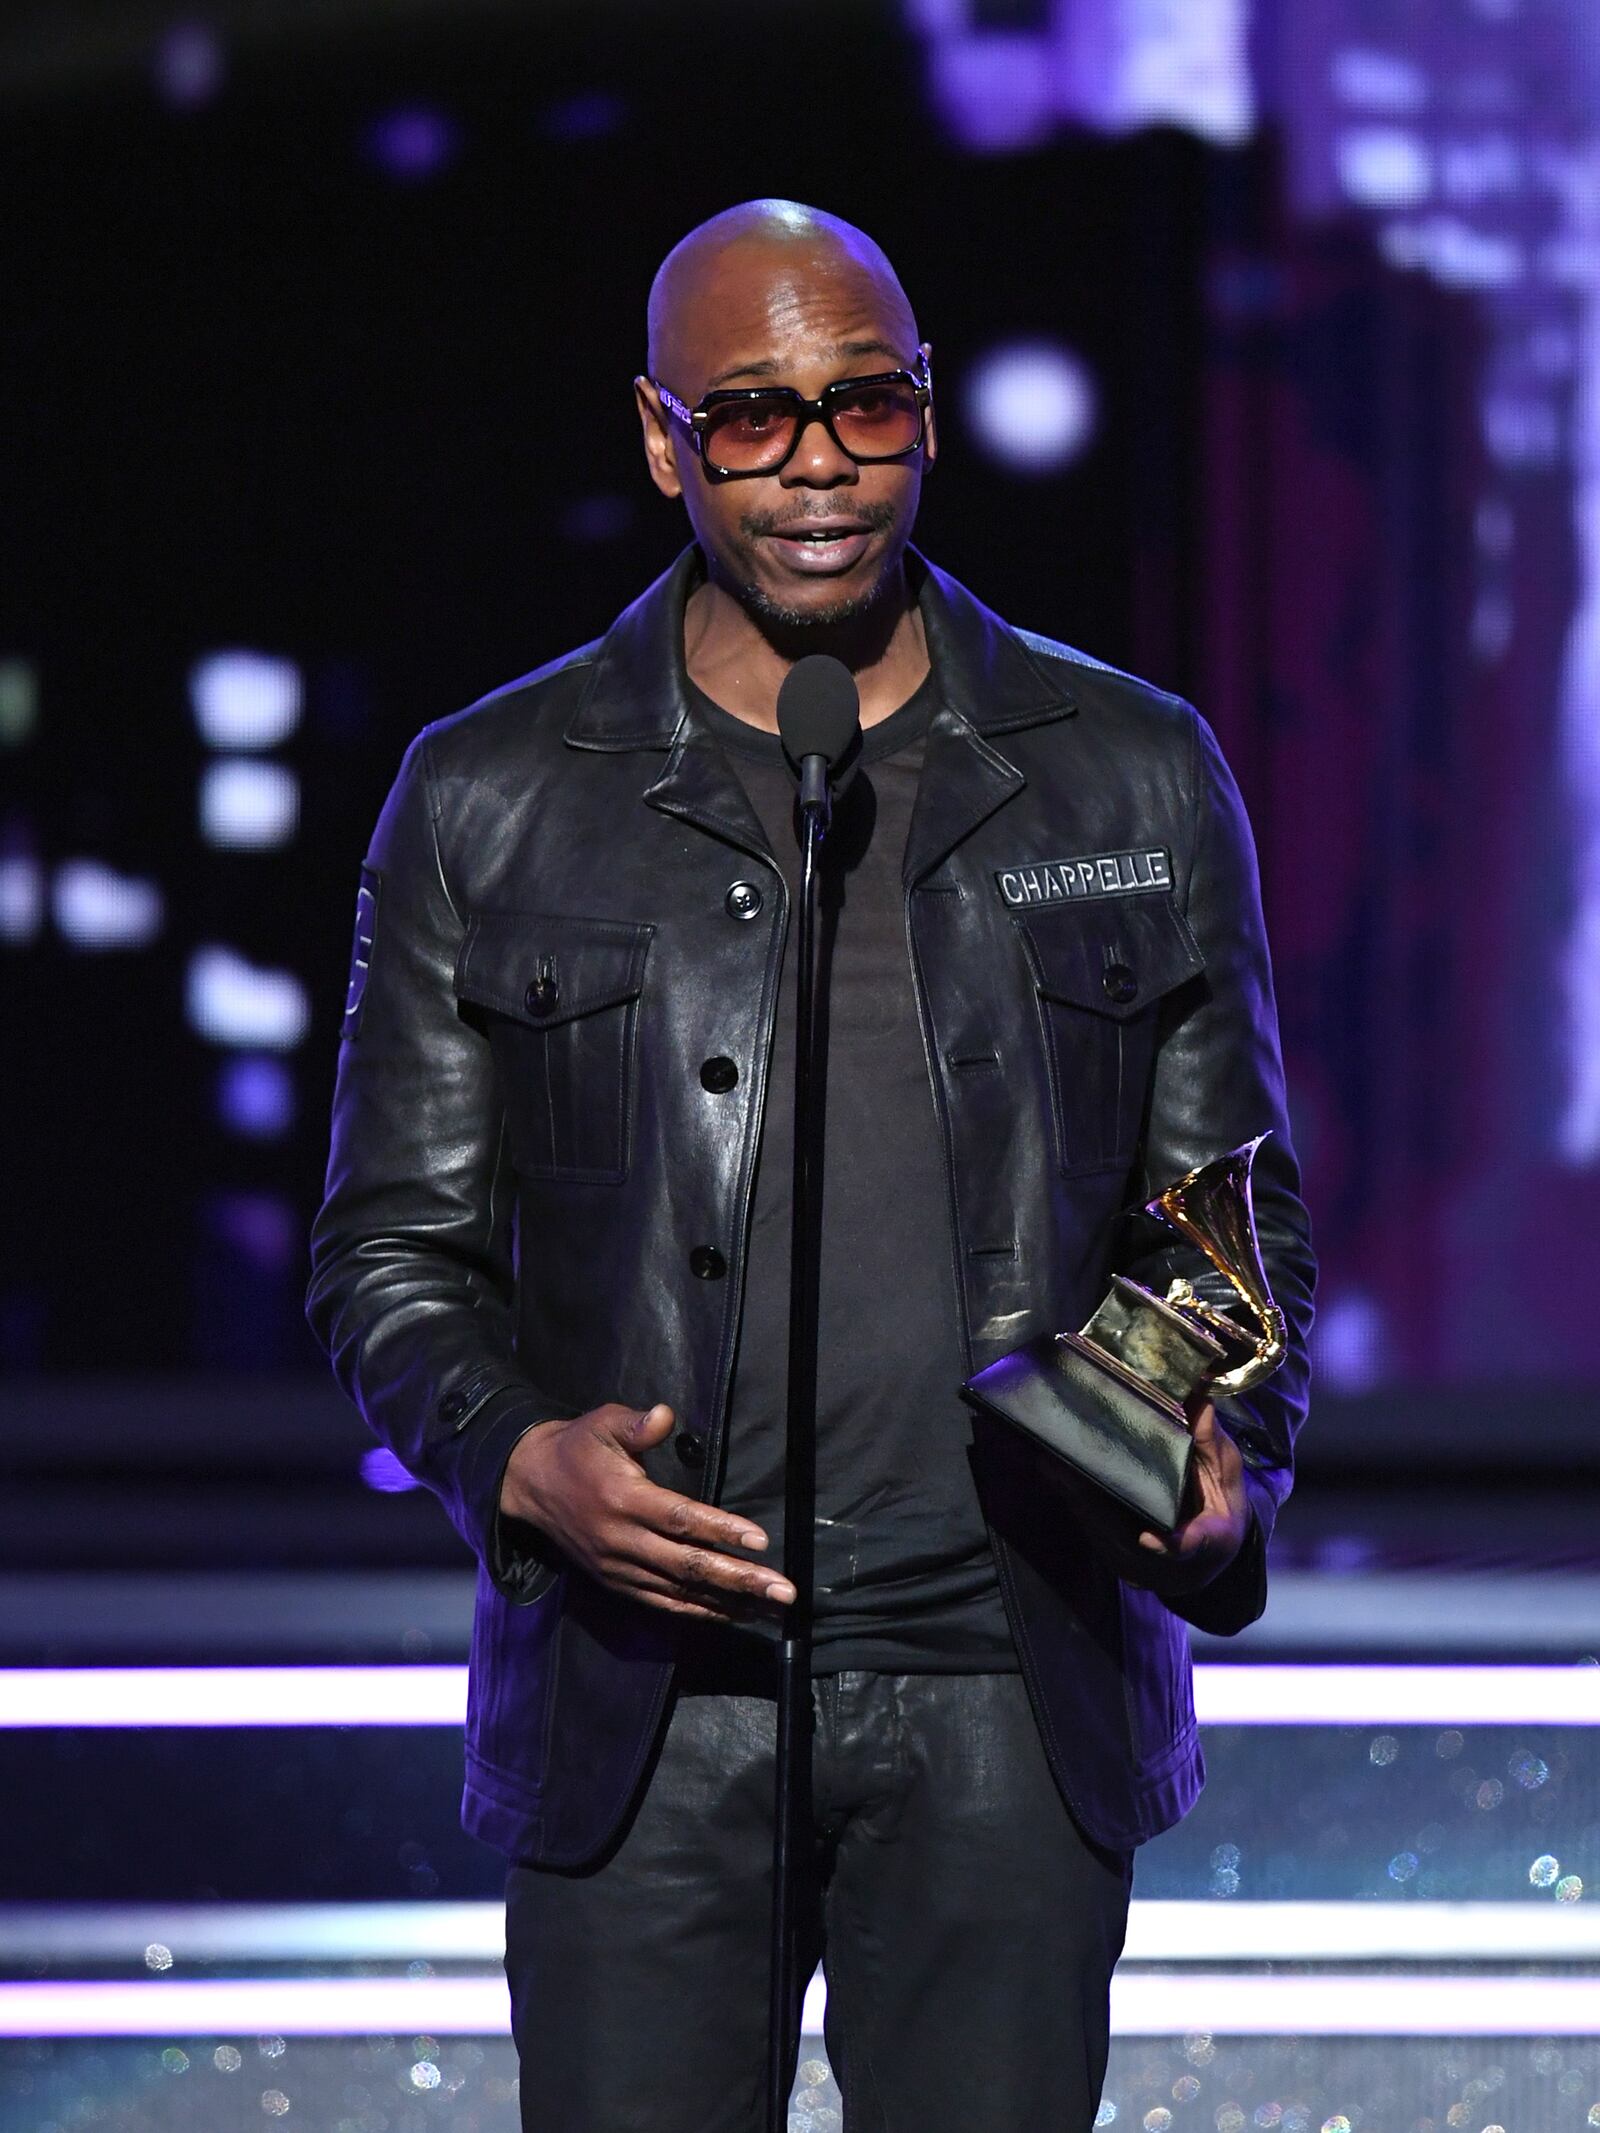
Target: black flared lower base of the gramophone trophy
[1091,1411]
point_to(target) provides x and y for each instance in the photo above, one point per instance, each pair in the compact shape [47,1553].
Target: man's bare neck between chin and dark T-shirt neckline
[741,667]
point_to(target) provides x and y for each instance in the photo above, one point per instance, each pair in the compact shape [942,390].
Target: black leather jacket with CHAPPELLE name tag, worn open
[534,1204]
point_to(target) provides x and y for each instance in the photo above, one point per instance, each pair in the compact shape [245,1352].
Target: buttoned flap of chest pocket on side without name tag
[547,969]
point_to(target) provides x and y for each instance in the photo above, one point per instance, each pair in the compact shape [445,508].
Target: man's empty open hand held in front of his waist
[583,1486]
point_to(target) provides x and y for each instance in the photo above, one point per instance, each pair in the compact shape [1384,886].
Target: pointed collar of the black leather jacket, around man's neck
[639,690]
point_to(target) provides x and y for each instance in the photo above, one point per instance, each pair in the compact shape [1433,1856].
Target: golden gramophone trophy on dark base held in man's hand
[1113,1400]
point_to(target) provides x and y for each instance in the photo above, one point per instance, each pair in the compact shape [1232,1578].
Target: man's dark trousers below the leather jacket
[965,1927]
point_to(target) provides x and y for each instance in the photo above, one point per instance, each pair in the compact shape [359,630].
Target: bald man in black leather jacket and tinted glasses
[554,1257]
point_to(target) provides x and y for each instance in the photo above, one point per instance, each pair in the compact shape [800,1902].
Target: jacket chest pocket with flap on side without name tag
[558,999]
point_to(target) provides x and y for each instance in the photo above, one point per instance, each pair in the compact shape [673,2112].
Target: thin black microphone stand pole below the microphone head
[793,1818]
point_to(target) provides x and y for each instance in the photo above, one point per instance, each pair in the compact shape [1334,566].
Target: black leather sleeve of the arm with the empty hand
[413,1277]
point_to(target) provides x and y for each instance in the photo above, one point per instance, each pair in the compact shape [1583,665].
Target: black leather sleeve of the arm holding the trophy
[1219,1082]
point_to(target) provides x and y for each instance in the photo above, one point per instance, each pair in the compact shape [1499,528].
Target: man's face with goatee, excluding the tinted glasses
[765,317]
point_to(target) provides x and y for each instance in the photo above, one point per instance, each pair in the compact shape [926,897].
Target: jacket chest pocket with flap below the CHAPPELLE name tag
[1102,972]
